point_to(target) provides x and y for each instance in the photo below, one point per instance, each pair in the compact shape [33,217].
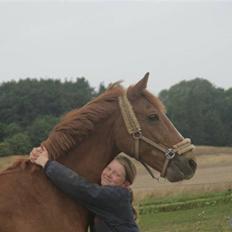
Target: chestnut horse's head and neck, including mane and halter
[133,122]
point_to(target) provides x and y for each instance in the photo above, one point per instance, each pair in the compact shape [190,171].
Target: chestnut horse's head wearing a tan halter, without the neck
[144,132]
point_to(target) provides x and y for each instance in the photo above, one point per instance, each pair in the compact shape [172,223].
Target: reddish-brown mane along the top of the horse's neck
[76,125]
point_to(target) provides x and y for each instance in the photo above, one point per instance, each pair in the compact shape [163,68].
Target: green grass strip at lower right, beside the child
[210,213]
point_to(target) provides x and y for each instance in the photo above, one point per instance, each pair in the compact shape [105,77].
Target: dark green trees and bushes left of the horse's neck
[30,108]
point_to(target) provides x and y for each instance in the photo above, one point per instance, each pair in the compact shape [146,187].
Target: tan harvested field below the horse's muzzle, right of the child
[214,173]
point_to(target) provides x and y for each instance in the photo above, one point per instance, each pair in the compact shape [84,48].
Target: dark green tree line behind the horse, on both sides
[30,108]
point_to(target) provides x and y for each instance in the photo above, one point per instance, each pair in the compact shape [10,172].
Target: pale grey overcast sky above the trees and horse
[106,41]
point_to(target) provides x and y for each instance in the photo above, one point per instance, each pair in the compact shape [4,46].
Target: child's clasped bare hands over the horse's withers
[39,155]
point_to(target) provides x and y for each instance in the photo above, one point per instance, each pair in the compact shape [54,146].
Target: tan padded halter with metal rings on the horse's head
[135,130]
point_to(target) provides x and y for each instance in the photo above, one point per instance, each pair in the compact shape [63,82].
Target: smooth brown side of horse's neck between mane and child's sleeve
[91,156]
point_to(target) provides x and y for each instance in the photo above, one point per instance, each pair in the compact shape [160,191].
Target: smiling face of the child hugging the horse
[114,174]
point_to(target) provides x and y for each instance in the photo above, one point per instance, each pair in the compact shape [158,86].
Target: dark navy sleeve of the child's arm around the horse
[93,196]
